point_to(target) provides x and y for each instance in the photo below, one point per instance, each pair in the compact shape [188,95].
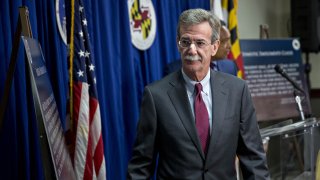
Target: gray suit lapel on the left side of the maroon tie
[180,101]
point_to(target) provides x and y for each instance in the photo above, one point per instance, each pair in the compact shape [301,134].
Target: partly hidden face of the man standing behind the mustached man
[225,44]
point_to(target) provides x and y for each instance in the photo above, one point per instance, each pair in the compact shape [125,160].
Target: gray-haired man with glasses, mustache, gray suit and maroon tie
[189,144]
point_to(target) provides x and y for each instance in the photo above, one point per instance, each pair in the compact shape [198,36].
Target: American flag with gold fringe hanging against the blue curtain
[88,154]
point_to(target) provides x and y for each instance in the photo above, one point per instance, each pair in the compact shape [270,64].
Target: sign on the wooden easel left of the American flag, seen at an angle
[47,112]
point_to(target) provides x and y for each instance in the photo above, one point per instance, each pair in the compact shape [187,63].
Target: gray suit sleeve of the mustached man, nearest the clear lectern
[250,151]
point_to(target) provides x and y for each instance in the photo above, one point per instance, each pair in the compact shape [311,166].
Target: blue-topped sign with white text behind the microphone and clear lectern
[272,94]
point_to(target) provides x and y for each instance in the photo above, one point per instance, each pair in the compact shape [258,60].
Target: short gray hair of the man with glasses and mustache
[196,16]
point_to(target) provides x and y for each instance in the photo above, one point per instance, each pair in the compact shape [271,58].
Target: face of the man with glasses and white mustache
[196,49]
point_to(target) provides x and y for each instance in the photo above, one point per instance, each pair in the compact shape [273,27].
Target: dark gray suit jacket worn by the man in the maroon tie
[167,129]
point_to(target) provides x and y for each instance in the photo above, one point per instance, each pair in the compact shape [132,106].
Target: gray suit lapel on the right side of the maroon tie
[219,107]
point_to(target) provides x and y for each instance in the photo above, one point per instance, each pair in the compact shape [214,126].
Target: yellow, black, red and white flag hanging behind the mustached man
[229,15]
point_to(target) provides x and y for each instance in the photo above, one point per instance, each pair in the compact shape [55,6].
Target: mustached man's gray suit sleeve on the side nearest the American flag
[142,163]
